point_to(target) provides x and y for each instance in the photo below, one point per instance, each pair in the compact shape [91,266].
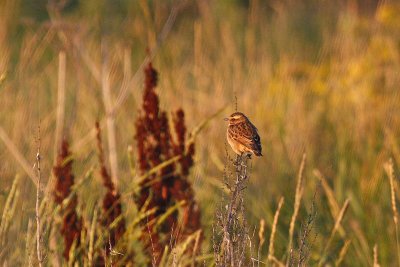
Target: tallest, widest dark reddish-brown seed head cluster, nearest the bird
[155,145]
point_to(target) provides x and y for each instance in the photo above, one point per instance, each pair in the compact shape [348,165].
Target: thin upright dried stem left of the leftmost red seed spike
[37,210]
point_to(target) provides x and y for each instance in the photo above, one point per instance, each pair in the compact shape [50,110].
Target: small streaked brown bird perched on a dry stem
[243,136]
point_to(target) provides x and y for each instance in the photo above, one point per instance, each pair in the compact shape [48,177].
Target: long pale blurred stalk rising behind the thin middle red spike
[110,118]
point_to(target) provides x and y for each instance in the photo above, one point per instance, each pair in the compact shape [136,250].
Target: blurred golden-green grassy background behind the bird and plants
[315,77]
